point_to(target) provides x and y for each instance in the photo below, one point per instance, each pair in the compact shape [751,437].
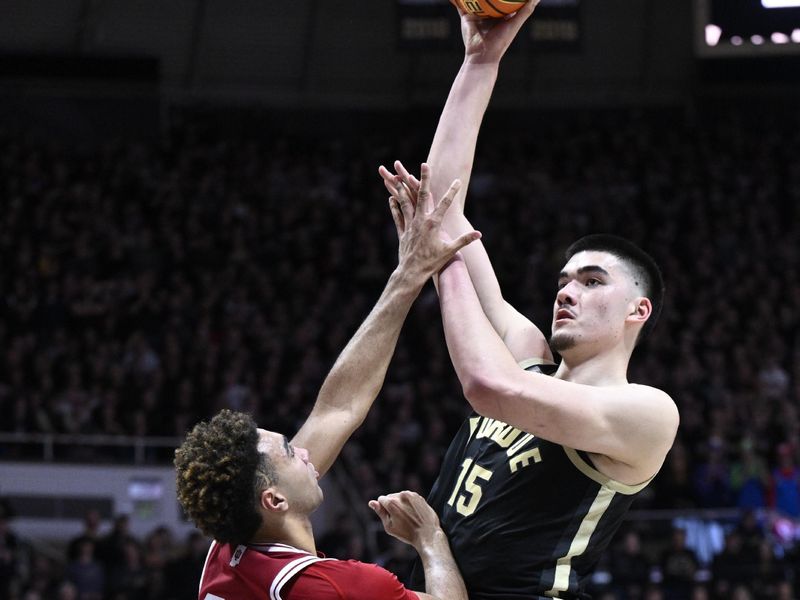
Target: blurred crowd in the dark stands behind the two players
[147,285]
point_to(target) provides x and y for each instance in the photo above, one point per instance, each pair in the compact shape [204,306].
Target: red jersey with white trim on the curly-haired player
[281,572]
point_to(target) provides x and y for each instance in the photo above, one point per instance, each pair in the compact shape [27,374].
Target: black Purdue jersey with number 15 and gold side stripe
[526,518]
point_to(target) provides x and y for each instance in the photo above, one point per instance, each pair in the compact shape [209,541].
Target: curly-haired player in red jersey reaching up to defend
[253,490]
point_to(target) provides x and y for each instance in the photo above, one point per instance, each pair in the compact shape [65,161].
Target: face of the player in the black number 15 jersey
[595,295]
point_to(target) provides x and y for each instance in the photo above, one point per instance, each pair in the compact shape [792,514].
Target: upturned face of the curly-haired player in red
[297,477]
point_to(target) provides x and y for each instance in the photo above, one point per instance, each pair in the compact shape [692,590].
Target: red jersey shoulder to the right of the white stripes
[350,580]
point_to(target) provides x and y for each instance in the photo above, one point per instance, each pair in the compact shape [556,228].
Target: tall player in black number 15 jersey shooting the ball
[538,479]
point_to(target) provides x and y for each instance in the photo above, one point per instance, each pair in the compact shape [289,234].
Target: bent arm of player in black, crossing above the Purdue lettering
[630,427]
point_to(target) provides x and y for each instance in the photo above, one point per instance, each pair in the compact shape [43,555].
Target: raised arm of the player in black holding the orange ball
[452,153]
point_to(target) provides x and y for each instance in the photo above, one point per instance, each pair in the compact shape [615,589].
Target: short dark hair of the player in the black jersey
[644,269]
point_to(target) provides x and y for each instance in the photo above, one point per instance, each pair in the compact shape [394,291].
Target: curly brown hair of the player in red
[220,473]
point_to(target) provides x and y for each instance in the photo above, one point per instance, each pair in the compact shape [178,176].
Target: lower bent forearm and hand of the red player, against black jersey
[410,519]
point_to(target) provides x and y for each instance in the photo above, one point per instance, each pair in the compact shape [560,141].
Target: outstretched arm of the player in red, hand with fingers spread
[357,375]
